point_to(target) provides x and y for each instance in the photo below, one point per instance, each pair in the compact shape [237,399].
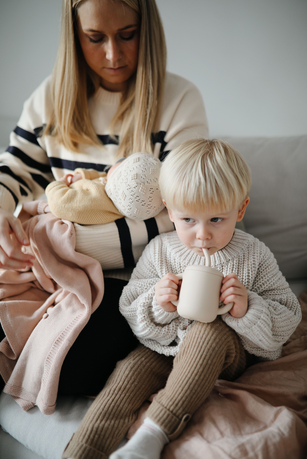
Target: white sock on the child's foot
[147,443]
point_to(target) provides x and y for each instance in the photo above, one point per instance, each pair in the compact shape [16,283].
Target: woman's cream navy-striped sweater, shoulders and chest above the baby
[32,161]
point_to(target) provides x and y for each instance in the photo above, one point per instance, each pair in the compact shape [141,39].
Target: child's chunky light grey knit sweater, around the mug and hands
[273,310]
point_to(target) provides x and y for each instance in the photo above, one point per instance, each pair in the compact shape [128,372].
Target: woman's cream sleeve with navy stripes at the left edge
[24,166]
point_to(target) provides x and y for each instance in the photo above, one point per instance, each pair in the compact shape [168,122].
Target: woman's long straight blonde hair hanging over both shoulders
[73,82]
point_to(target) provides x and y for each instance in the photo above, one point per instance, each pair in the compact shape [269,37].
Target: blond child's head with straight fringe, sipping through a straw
[205,186]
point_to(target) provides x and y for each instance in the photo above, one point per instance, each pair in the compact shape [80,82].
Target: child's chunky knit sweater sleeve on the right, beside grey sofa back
[273,311]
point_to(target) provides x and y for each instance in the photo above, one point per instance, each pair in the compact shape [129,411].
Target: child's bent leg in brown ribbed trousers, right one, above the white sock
[208,352]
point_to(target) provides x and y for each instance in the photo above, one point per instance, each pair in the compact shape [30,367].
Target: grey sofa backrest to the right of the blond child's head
[277,213]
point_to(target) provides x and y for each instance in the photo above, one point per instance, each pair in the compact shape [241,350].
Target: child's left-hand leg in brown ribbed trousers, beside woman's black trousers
[134,380]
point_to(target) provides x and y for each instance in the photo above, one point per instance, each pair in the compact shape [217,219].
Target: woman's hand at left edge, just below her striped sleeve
[12,240]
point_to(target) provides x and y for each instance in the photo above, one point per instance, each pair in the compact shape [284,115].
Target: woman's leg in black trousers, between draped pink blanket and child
[106,339]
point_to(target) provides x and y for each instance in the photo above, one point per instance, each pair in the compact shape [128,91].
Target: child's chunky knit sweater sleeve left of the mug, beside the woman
[139,306]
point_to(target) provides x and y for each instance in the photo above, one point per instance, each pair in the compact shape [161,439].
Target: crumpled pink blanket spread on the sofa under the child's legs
[262,415]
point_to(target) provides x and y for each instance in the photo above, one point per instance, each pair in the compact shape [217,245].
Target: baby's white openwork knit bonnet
[133,187]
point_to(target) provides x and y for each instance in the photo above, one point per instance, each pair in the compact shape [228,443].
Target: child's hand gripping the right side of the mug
[232,291]
